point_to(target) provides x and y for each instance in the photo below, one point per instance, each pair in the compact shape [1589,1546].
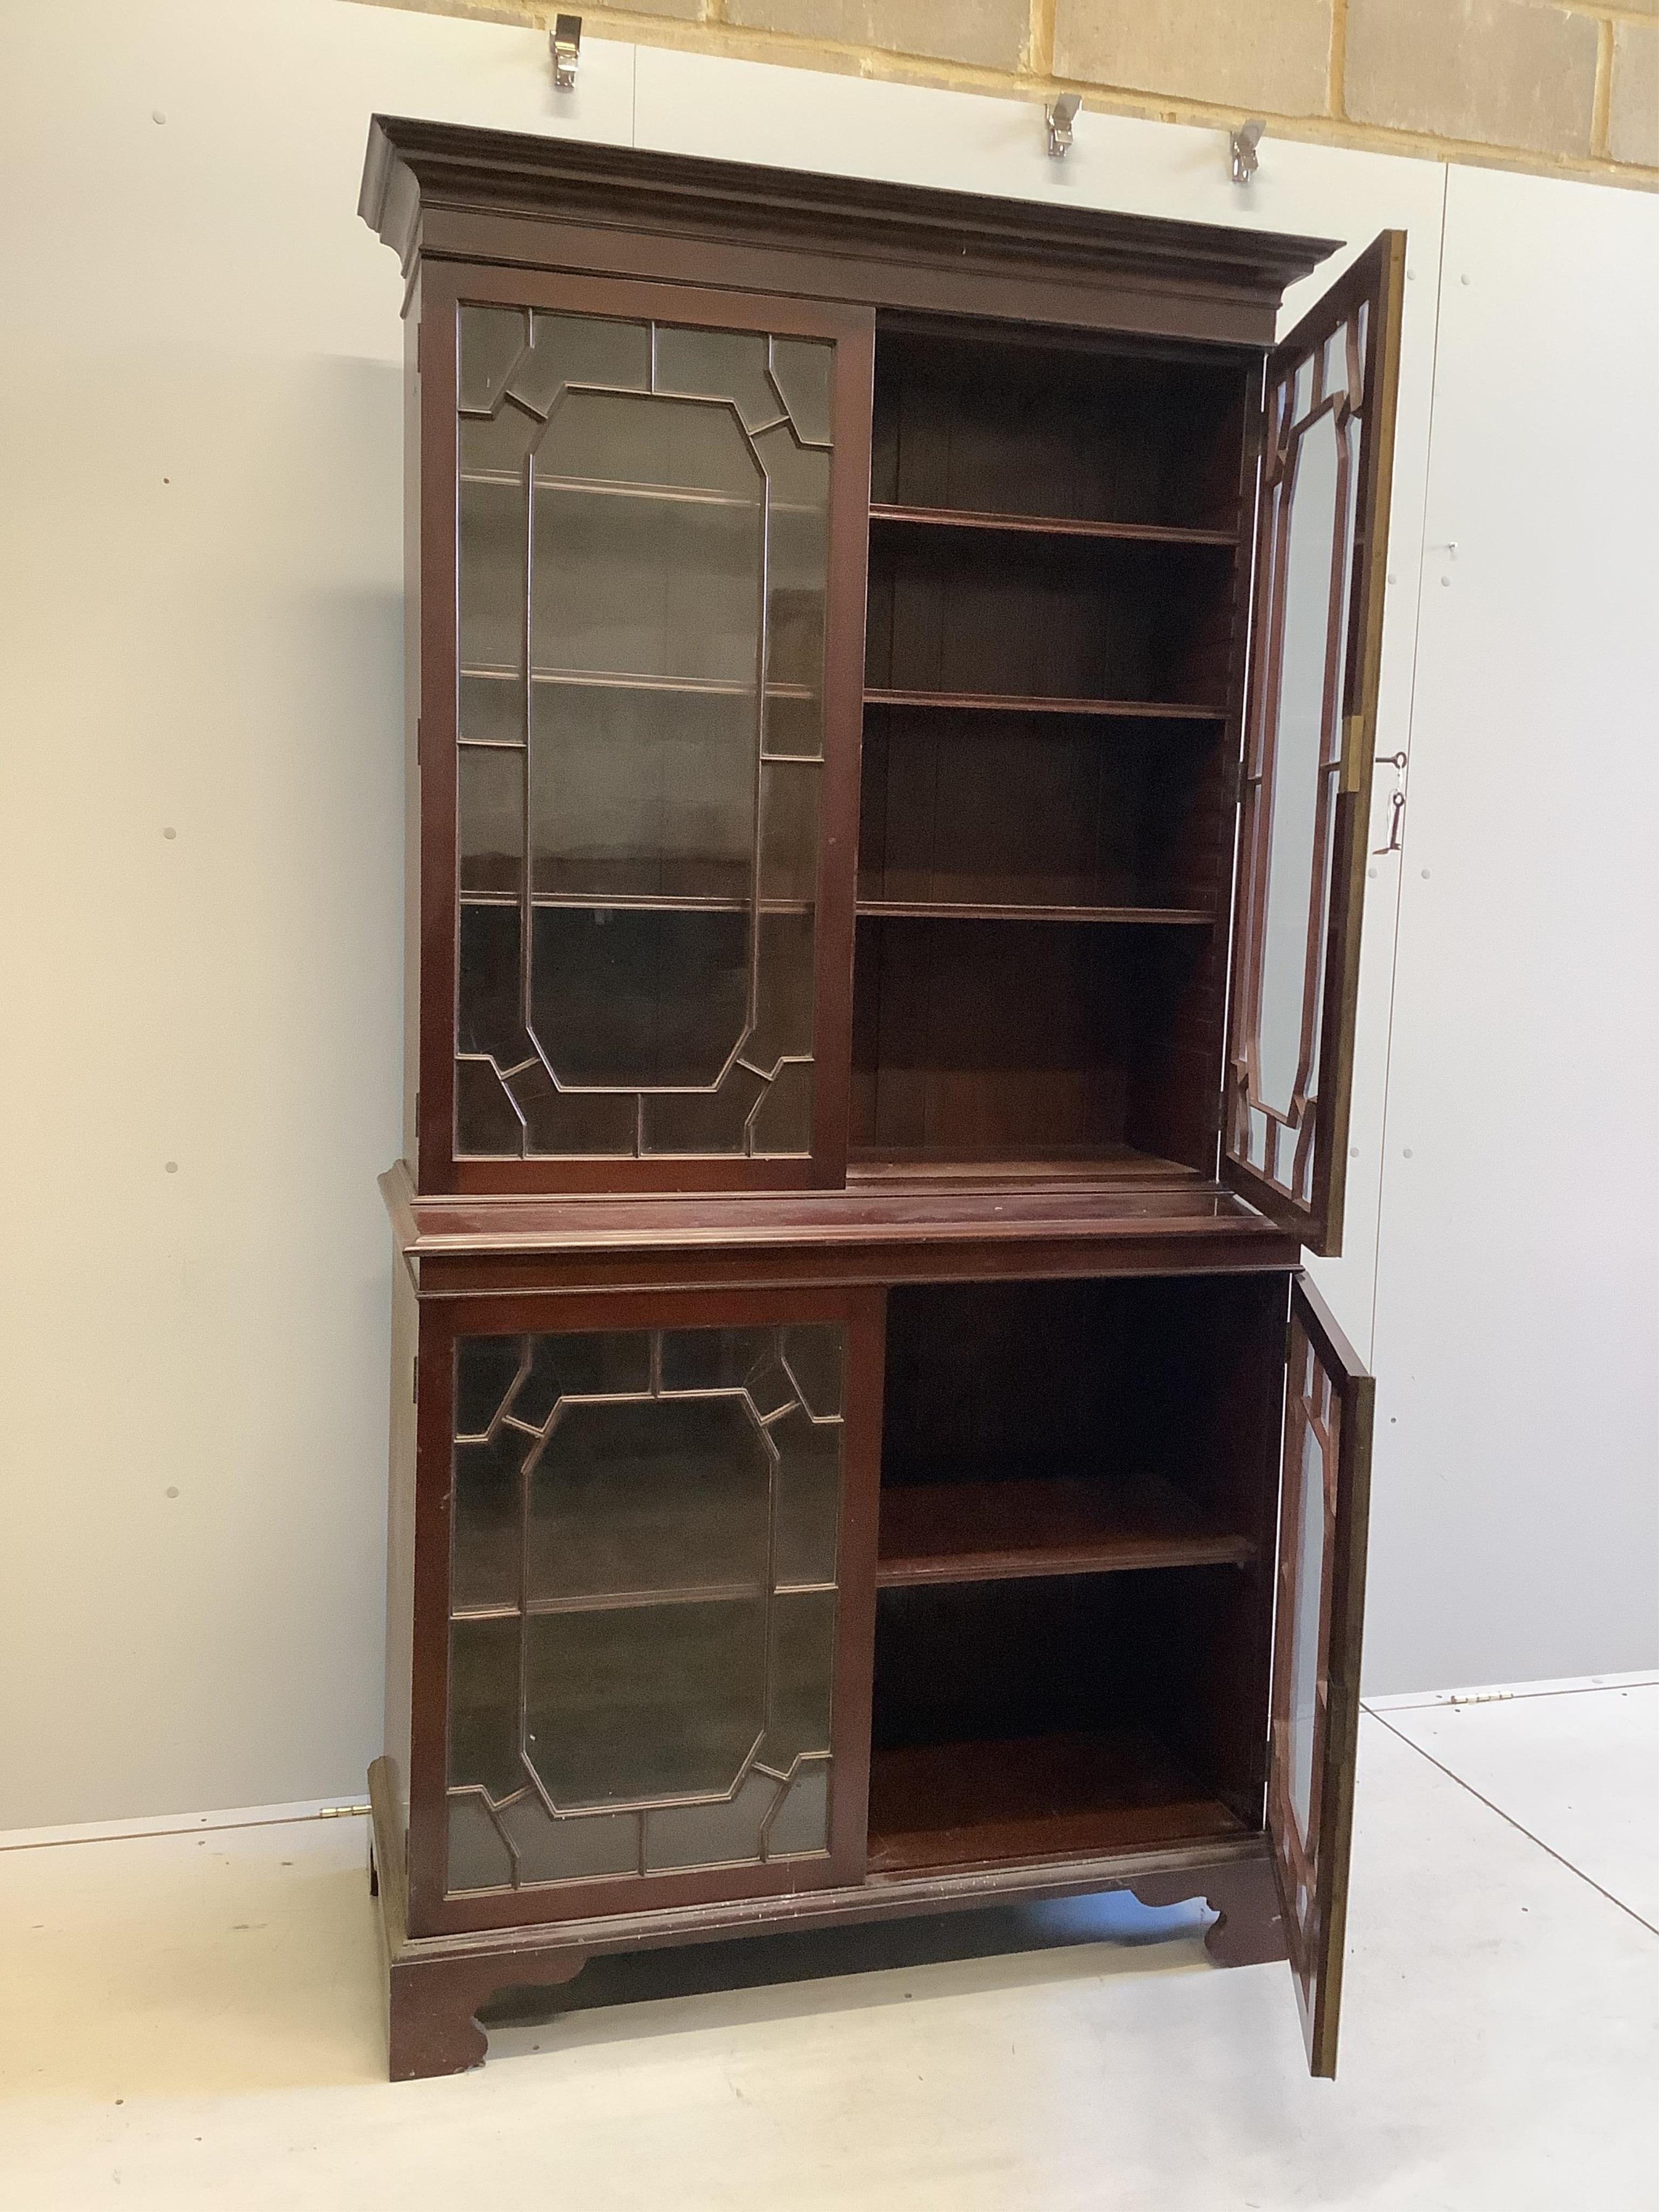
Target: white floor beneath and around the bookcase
[194,2021]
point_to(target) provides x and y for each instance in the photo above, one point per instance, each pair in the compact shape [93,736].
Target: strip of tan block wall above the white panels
[1563,90]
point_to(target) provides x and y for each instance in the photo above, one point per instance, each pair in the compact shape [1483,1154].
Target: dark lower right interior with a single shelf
[1076,1567]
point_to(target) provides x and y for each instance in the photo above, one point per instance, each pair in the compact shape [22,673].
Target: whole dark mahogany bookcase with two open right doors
[890,693]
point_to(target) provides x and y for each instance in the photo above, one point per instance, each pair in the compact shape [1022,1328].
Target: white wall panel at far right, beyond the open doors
[1516,1322]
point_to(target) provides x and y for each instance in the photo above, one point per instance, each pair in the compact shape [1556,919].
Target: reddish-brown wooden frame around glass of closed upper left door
[446,286]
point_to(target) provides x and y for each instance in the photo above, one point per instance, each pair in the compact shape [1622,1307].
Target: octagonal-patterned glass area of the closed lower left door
[645,1532]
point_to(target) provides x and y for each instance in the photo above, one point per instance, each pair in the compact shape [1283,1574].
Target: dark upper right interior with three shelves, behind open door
[1045,844]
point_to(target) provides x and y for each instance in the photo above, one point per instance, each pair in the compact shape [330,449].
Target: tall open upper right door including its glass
[1311,733]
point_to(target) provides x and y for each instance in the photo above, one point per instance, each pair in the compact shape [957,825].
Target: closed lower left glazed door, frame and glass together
[645,1603]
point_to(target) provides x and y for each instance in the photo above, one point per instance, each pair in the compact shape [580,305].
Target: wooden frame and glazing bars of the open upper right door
[1306,1193]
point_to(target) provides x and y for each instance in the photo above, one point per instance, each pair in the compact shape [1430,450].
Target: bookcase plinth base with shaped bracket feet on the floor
[439,1983]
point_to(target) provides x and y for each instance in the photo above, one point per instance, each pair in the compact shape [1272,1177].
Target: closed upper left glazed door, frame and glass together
[643,581]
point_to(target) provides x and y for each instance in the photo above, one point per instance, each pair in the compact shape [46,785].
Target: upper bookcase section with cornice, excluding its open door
[656,943]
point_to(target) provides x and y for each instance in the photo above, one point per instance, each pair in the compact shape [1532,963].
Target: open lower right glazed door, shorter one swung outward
[1324,1507]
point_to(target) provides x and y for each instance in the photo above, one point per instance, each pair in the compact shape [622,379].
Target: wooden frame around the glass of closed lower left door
[444,1322]
